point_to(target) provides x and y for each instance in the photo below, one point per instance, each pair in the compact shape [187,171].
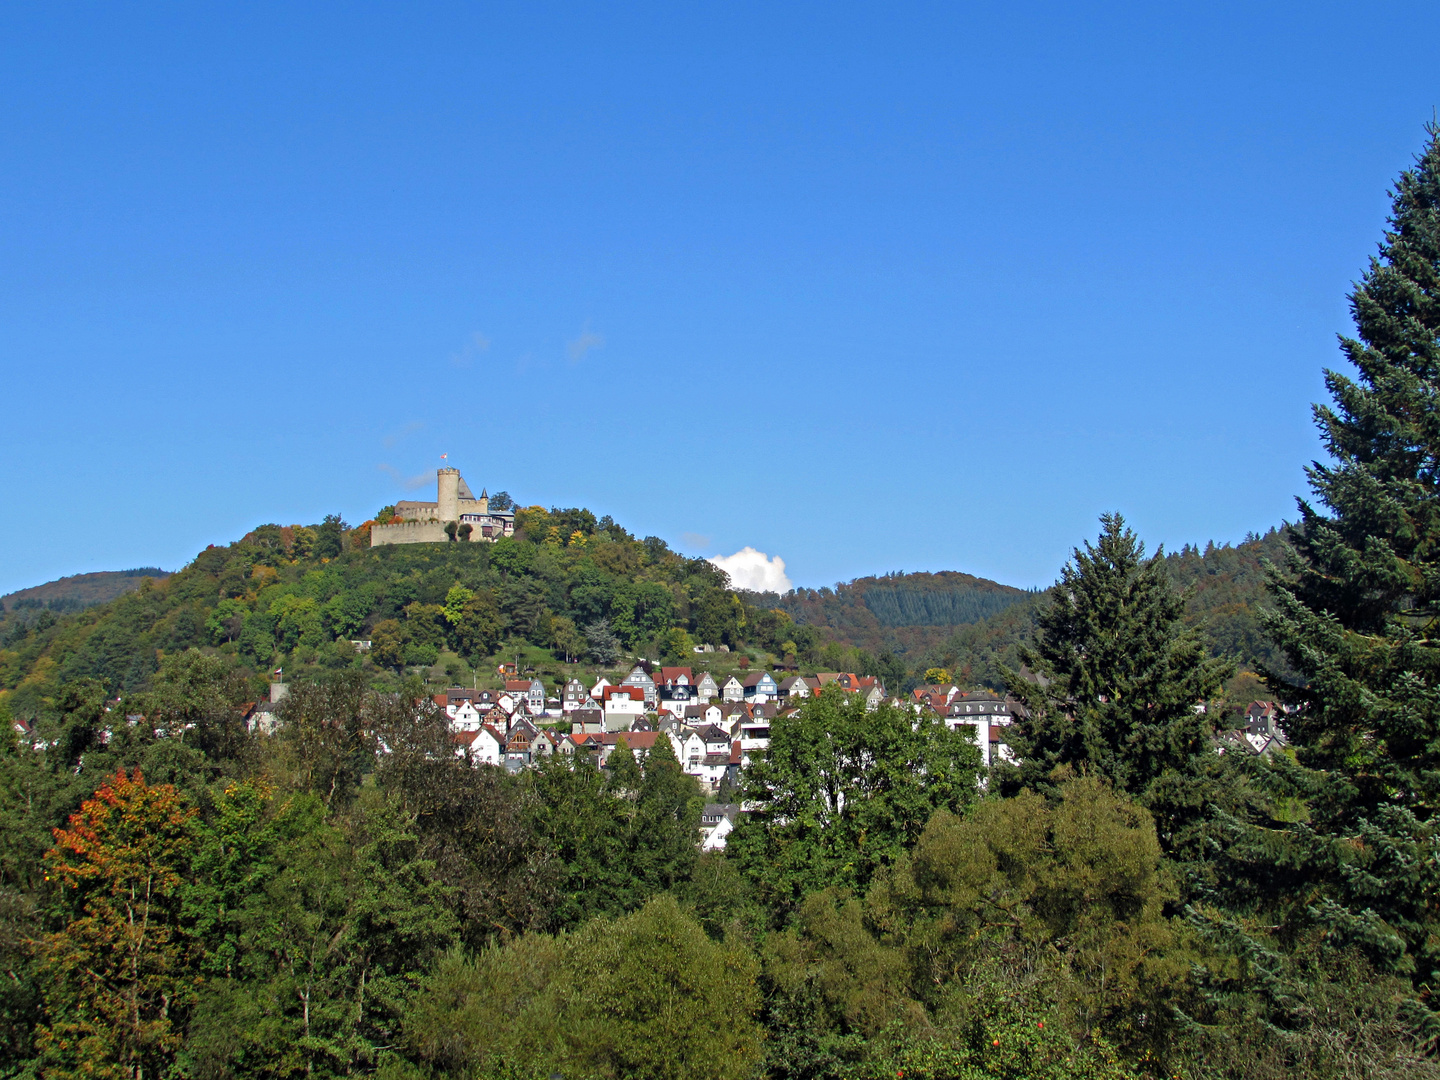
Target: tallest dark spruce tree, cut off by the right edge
[1359,606]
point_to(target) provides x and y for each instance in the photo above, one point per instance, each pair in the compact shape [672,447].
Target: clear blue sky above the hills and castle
[866,287]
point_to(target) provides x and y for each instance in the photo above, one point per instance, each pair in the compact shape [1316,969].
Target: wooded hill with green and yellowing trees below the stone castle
[565,588]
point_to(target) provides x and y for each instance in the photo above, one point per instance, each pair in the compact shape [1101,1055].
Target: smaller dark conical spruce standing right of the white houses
[1117,683]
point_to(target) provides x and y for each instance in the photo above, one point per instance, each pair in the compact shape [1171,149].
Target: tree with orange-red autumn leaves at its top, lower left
[120,974]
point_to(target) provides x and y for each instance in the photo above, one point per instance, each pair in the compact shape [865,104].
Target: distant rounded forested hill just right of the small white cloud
[901,613]
